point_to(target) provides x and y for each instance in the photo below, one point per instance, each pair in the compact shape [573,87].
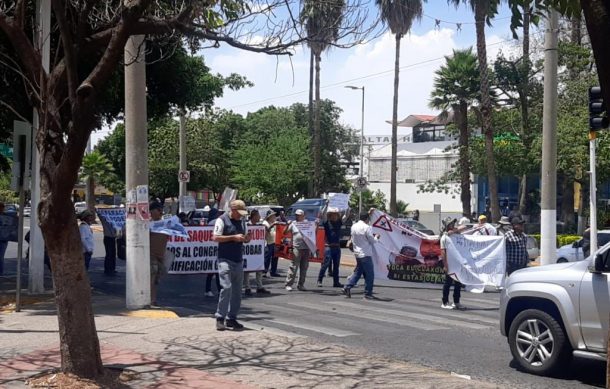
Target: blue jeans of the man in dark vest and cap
[231,275]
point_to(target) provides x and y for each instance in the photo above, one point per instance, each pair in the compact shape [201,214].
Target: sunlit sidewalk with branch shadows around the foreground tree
[169,348]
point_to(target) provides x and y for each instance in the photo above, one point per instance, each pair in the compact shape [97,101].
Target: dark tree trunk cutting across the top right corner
[597,16]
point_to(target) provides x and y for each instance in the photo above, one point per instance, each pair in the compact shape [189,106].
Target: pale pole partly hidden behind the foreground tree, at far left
[36,245]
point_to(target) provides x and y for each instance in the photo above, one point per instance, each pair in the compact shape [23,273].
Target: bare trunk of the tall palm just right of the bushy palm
[480,15]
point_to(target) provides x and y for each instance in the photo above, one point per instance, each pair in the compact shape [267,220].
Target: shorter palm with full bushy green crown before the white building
[456,88]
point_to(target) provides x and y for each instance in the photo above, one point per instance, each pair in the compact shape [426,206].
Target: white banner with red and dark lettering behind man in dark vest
[198,253]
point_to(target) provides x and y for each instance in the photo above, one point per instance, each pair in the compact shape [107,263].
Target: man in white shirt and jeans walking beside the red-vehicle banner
[363,240]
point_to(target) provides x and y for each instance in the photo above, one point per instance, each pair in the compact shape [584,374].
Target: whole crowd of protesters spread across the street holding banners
[230,231]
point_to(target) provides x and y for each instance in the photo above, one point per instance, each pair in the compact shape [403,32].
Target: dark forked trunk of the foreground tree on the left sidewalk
[80,350]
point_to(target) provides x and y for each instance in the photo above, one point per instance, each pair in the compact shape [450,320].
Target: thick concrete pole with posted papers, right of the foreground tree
[136,162]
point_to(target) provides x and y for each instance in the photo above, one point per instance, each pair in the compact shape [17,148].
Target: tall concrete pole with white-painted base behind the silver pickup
[548,219]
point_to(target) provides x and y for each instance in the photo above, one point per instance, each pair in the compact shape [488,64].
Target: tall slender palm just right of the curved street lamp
[399,16]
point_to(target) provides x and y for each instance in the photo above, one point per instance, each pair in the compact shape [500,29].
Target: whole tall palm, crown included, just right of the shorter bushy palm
[483,11]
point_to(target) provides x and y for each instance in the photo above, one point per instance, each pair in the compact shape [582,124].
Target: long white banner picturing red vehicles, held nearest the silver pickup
[406,254]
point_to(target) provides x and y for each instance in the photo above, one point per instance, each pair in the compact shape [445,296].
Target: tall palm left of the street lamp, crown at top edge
[322,21]
